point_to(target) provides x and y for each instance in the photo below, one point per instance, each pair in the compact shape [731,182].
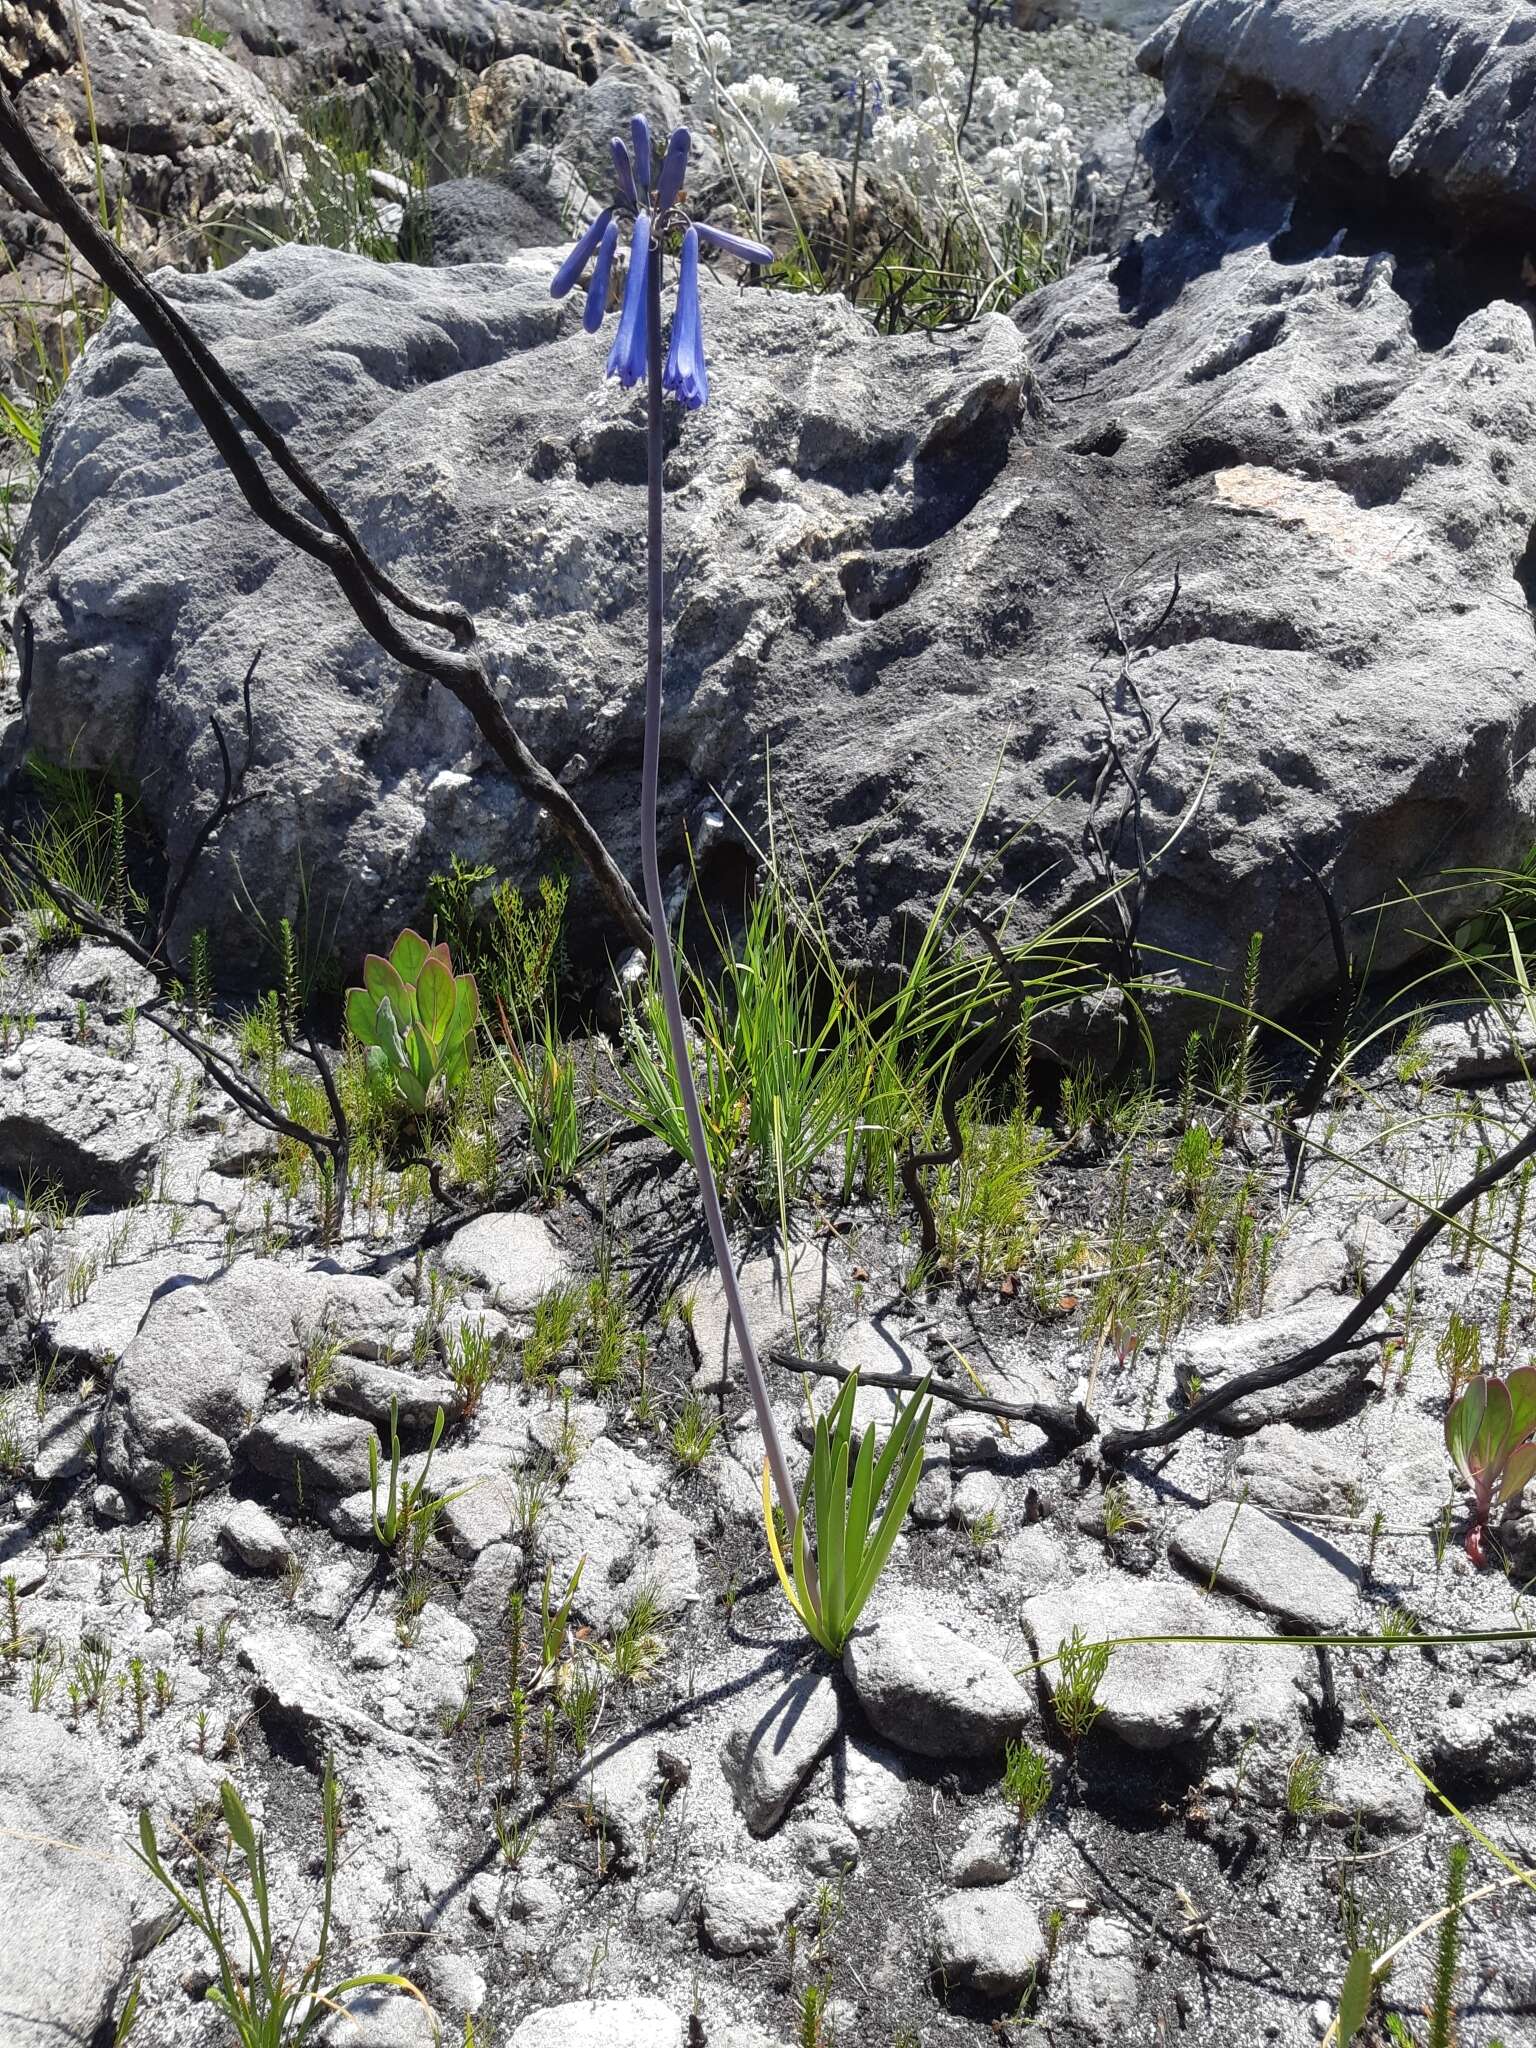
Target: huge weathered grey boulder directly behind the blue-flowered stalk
[880,556]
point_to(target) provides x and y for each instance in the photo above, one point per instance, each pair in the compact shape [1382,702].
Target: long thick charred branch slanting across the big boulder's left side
[318,531]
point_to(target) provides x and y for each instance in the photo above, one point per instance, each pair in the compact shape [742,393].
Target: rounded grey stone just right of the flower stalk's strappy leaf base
[931,1691]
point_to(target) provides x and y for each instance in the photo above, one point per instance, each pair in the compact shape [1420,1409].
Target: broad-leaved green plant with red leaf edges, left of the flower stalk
[415,1019]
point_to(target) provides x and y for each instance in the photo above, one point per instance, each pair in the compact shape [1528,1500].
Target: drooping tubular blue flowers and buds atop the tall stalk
[650,196]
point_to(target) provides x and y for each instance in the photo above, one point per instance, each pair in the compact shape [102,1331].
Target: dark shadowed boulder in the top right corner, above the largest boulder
[1402,99]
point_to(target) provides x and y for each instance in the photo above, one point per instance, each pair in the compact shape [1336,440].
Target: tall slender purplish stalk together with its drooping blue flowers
[654,206]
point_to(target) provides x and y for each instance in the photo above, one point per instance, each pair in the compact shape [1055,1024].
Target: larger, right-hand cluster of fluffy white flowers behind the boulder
[1029,163]
